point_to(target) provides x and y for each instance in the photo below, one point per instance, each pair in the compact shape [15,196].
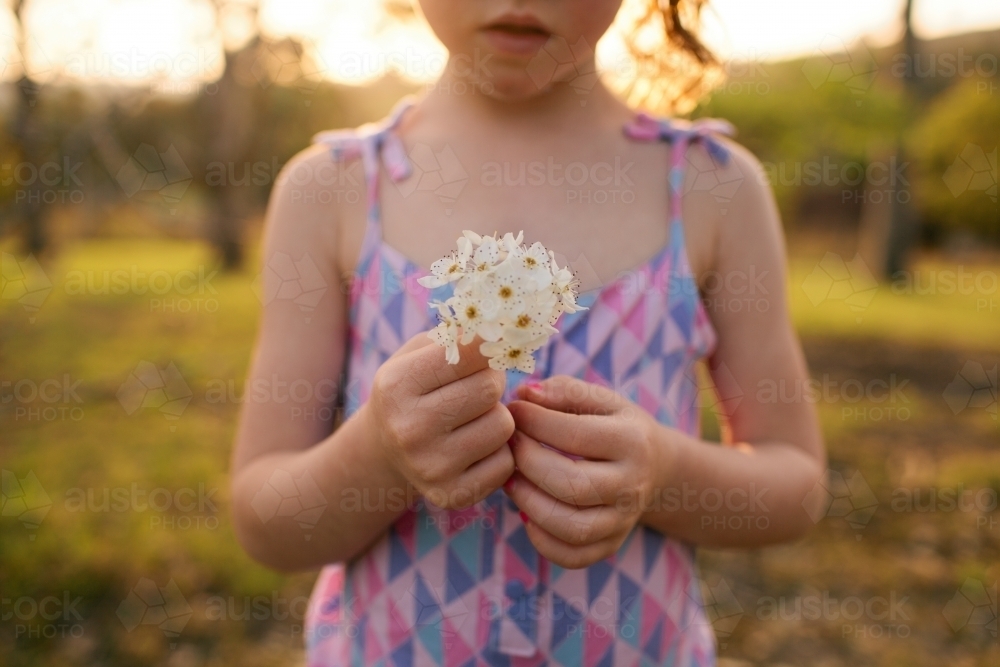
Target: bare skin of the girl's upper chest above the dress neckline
[604,212]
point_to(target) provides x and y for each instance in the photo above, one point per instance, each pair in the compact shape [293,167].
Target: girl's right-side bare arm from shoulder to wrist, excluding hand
[776,453]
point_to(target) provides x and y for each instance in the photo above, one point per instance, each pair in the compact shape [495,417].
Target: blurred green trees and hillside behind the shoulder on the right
[794,123]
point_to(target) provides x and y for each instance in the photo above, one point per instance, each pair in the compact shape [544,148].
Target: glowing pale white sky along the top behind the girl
[144,42]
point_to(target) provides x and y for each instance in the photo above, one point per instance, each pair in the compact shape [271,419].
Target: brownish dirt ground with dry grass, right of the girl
[915,581]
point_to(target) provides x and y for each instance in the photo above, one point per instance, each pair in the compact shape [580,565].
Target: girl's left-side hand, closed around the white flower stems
[442,426]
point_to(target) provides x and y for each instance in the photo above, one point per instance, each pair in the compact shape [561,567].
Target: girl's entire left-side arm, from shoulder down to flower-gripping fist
[303,497]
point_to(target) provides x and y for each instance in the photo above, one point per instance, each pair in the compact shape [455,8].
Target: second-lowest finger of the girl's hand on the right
[574,525]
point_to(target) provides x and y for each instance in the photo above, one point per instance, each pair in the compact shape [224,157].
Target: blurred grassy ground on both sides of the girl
[85,442]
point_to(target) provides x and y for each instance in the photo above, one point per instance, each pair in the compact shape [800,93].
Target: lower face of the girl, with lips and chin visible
[516,49]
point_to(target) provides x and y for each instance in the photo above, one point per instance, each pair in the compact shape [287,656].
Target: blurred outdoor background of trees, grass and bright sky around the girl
[138,144]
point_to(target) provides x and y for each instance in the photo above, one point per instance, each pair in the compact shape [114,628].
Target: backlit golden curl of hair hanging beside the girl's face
[673,69]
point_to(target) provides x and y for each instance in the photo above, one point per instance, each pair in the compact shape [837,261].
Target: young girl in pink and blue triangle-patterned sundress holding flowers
[464,516]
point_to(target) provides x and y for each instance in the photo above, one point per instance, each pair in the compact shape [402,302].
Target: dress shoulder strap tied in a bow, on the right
[679,134]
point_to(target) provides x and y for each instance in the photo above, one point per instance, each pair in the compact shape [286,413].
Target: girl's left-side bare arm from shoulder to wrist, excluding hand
[285,452]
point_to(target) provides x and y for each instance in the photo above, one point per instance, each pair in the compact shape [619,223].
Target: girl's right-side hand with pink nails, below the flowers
[579,509]
